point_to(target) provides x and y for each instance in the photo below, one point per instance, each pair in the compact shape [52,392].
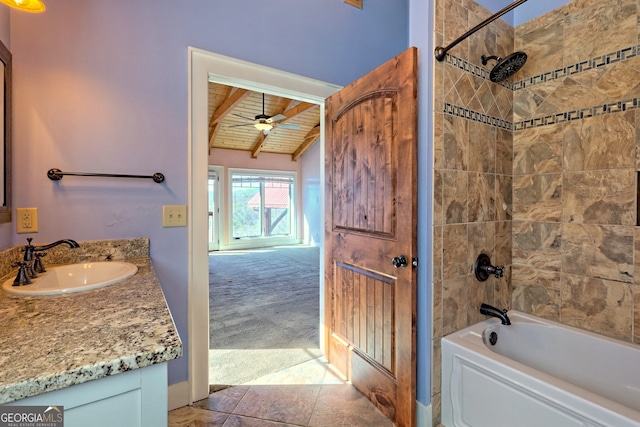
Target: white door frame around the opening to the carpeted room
[204,67]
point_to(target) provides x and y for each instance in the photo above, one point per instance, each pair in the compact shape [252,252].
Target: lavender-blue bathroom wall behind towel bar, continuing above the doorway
[101,86]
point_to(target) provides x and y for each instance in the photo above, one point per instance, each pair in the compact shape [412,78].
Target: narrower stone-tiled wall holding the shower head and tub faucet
[472,173]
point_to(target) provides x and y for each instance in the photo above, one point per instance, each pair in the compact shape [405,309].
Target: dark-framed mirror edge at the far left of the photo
[5,56]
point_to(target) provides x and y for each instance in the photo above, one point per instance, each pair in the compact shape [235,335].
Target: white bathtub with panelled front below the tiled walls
[539,374]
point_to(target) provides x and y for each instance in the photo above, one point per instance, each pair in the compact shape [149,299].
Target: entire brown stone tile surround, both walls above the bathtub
[539,172]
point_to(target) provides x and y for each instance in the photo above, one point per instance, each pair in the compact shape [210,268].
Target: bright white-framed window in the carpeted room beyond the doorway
[262,204]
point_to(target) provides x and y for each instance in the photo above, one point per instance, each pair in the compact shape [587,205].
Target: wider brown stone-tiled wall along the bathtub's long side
[575,120]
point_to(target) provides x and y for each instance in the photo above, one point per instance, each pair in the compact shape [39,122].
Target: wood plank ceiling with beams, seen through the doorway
[232,113]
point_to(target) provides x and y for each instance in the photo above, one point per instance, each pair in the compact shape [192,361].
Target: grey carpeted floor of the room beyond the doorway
[263,311]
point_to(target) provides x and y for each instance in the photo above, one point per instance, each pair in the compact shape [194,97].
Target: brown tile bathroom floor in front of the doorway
[309,394]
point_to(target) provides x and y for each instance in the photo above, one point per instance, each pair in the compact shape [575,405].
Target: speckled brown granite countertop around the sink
[52,342]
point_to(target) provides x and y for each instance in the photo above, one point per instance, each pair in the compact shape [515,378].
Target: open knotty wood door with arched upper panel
[371,234]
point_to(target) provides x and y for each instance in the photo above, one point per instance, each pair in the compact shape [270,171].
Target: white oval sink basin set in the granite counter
[74,278]
